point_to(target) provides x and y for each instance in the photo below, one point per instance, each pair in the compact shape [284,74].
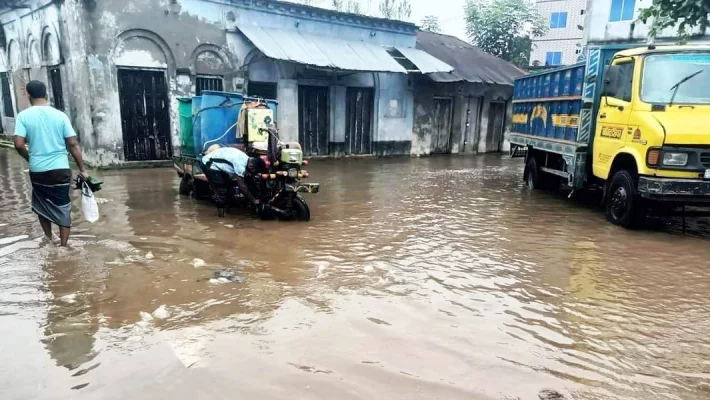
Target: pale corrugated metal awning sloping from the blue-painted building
[347,55]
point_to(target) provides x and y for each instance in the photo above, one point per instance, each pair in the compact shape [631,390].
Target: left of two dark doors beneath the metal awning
[313,119]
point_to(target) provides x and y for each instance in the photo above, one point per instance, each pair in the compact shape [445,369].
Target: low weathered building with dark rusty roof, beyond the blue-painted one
[467,110]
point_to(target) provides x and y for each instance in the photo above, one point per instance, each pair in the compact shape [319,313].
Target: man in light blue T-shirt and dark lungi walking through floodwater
[50,136]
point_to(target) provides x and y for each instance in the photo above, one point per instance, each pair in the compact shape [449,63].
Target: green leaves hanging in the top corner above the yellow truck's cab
[686,14]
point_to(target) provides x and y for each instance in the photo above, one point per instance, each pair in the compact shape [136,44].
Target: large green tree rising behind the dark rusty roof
[504,27]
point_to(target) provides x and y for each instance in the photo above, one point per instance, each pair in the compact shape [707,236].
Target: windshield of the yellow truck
[676,78]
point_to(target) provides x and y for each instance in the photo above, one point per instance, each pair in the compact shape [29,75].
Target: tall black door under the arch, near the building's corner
[145,115]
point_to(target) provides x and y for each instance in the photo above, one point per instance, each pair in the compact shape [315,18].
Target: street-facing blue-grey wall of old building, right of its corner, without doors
[158,34]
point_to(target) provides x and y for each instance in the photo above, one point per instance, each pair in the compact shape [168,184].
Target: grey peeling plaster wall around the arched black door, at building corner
[148,34]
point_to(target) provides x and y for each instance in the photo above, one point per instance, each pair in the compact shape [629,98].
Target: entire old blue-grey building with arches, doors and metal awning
[345,83]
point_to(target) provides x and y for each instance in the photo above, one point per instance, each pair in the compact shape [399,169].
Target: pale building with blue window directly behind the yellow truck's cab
[614,21]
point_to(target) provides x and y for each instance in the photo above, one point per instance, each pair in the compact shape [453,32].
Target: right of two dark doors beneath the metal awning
[358,121]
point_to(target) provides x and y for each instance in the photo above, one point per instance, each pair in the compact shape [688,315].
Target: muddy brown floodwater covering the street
[416,279]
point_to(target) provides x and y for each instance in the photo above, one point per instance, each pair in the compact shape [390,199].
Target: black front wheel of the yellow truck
[623,205]
